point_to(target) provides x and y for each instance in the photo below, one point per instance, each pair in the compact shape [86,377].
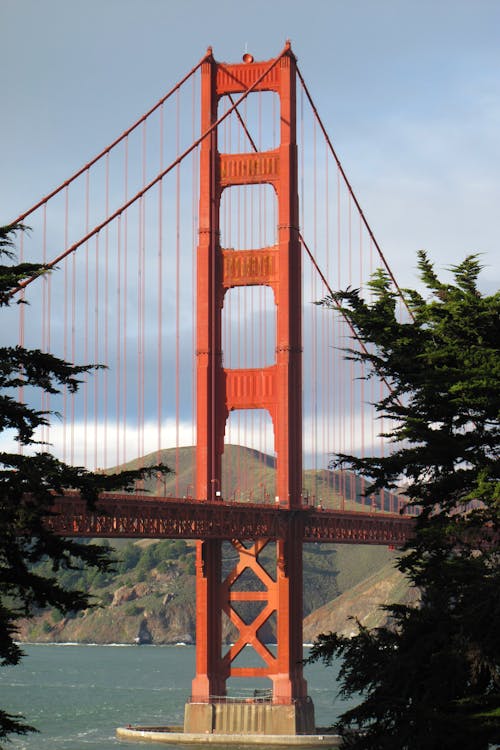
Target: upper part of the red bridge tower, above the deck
[278,387]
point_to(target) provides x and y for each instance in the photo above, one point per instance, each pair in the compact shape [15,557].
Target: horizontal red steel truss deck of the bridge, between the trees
[143,516]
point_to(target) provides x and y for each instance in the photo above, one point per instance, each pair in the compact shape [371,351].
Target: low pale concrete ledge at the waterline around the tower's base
[175,735]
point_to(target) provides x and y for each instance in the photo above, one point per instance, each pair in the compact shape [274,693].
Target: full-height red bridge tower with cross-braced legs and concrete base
[276,388]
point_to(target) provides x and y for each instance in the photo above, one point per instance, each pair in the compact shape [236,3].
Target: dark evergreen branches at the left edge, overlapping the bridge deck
[28,484]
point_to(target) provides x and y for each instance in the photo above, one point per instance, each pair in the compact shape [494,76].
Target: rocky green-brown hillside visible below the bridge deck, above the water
[151,597]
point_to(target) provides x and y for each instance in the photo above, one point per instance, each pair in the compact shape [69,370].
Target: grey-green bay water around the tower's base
[77,695]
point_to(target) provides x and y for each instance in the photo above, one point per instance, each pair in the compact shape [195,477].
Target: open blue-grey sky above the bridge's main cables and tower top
[409,92]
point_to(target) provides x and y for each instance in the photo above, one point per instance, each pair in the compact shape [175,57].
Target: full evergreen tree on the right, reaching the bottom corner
[431,679]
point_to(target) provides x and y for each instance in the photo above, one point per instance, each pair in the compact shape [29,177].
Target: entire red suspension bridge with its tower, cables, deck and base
[187,257]
